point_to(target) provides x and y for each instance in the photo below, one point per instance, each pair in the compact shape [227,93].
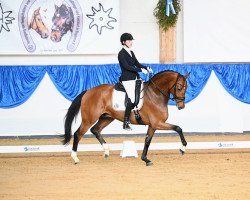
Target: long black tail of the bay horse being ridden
[71,114]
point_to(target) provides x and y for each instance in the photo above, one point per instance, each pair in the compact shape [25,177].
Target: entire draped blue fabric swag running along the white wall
[17,83]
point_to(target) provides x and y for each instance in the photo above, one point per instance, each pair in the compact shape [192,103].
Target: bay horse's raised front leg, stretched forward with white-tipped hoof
[166,126]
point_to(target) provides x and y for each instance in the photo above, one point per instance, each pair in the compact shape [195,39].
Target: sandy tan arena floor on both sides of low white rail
[199,174]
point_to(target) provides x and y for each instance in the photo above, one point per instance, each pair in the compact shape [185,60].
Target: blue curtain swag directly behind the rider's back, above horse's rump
[72,80]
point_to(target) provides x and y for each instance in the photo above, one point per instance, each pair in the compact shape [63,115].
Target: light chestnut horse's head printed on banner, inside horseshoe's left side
[37,23]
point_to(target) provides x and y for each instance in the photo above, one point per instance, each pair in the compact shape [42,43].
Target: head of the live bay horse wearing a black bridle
[178,90]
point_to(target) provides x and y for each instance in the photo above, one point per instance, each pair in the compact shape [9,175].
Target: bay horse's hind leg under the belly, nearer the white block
[103,121]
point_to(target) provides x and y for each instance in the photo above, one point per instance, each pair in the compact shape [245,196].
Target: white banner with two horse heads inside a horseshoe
[59,27]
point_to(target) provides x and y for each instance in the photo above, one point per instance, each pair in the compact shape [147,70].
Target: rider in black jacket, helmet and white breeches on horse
[130,68]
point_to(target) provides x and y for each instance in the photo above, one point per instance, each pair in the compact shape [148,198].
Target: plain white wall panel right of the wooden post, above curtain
[216,31]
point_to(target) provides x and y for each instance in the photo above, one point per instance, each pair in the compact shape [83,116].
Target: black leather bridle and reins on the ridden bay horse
[175,97]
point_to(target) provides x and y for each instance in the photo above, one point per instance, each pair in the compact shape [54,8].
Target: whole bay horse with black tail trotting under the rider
[97,111]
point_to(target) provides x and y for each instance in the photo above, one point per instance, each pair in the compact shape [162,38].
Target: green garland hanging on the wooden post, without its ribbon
[163,20]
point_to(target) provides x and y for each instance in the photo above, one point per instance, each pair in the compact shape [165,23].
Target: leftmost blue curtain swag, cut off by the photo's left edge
[18,83]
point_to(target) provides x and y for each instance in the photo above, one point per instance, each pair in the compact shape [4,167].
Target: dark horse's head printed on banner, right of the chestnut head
[63,21]
